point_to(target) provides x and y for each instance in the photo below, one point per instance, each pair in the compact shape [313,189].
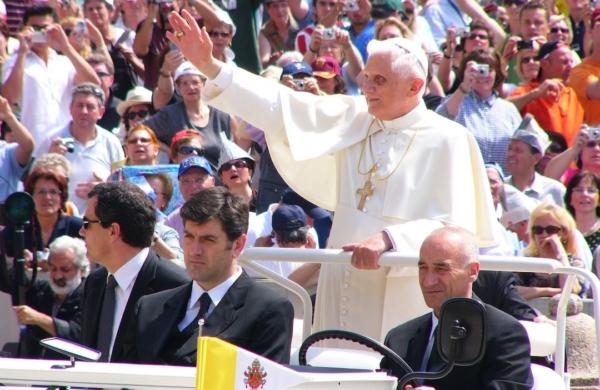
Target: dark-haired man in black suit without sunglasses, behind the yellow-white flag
[231,305]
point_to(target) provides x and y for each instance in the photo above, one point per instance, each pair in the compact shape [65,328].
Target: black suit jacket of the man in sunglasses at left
[155,275]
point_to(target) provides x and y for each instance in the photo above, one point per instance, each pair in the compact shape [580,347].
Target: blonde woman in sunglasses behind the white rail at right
[552,234]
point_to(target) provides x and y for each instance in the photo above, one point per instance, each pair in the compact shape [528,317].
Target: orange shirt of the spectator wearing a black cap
[564,116]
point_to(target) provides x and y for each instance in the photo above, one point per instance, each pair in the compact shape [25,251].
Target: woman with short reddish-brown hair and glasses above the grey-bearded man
[50,193]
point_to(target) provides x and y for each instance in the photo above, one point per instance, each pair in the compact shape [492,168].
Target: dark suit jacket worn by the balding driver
[505,364]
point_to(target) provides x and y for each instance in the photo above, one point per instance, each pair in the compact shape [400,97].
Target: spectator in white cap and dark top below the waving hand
[193,113]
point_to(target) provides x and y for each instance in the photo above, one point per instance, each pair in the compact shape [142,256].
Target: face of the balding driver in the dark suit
[444,272]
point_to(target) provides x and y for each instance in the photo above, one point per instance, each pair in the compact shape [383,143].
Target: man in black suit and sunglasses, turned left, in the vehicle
[118,225]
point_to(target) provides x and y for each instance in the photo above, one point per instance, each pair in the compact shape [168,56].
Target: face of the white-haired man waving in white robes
[389,93]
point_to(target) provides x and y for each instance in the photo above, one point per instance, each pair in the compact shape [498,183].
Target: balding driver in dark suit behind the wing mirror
[448,266]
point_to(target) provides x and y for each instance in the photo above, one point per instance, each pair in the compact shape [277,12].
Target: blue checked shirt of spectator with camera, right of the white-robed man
[492,121]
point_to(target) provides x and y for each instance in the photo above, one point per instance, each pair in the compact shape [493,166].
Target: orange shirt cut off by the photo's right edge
[581,77]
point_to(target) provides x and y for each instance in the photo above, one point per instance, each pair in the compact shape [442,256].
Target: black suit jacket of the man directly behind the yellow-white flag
[250,315]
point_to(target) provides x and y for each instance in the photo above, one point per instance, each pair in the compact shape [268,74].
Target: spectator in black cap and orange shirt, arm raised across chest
[554,105]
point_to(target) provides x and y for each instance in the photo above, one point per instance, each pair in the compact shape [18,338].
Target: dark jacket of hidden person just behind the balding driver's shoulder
[499,289]
